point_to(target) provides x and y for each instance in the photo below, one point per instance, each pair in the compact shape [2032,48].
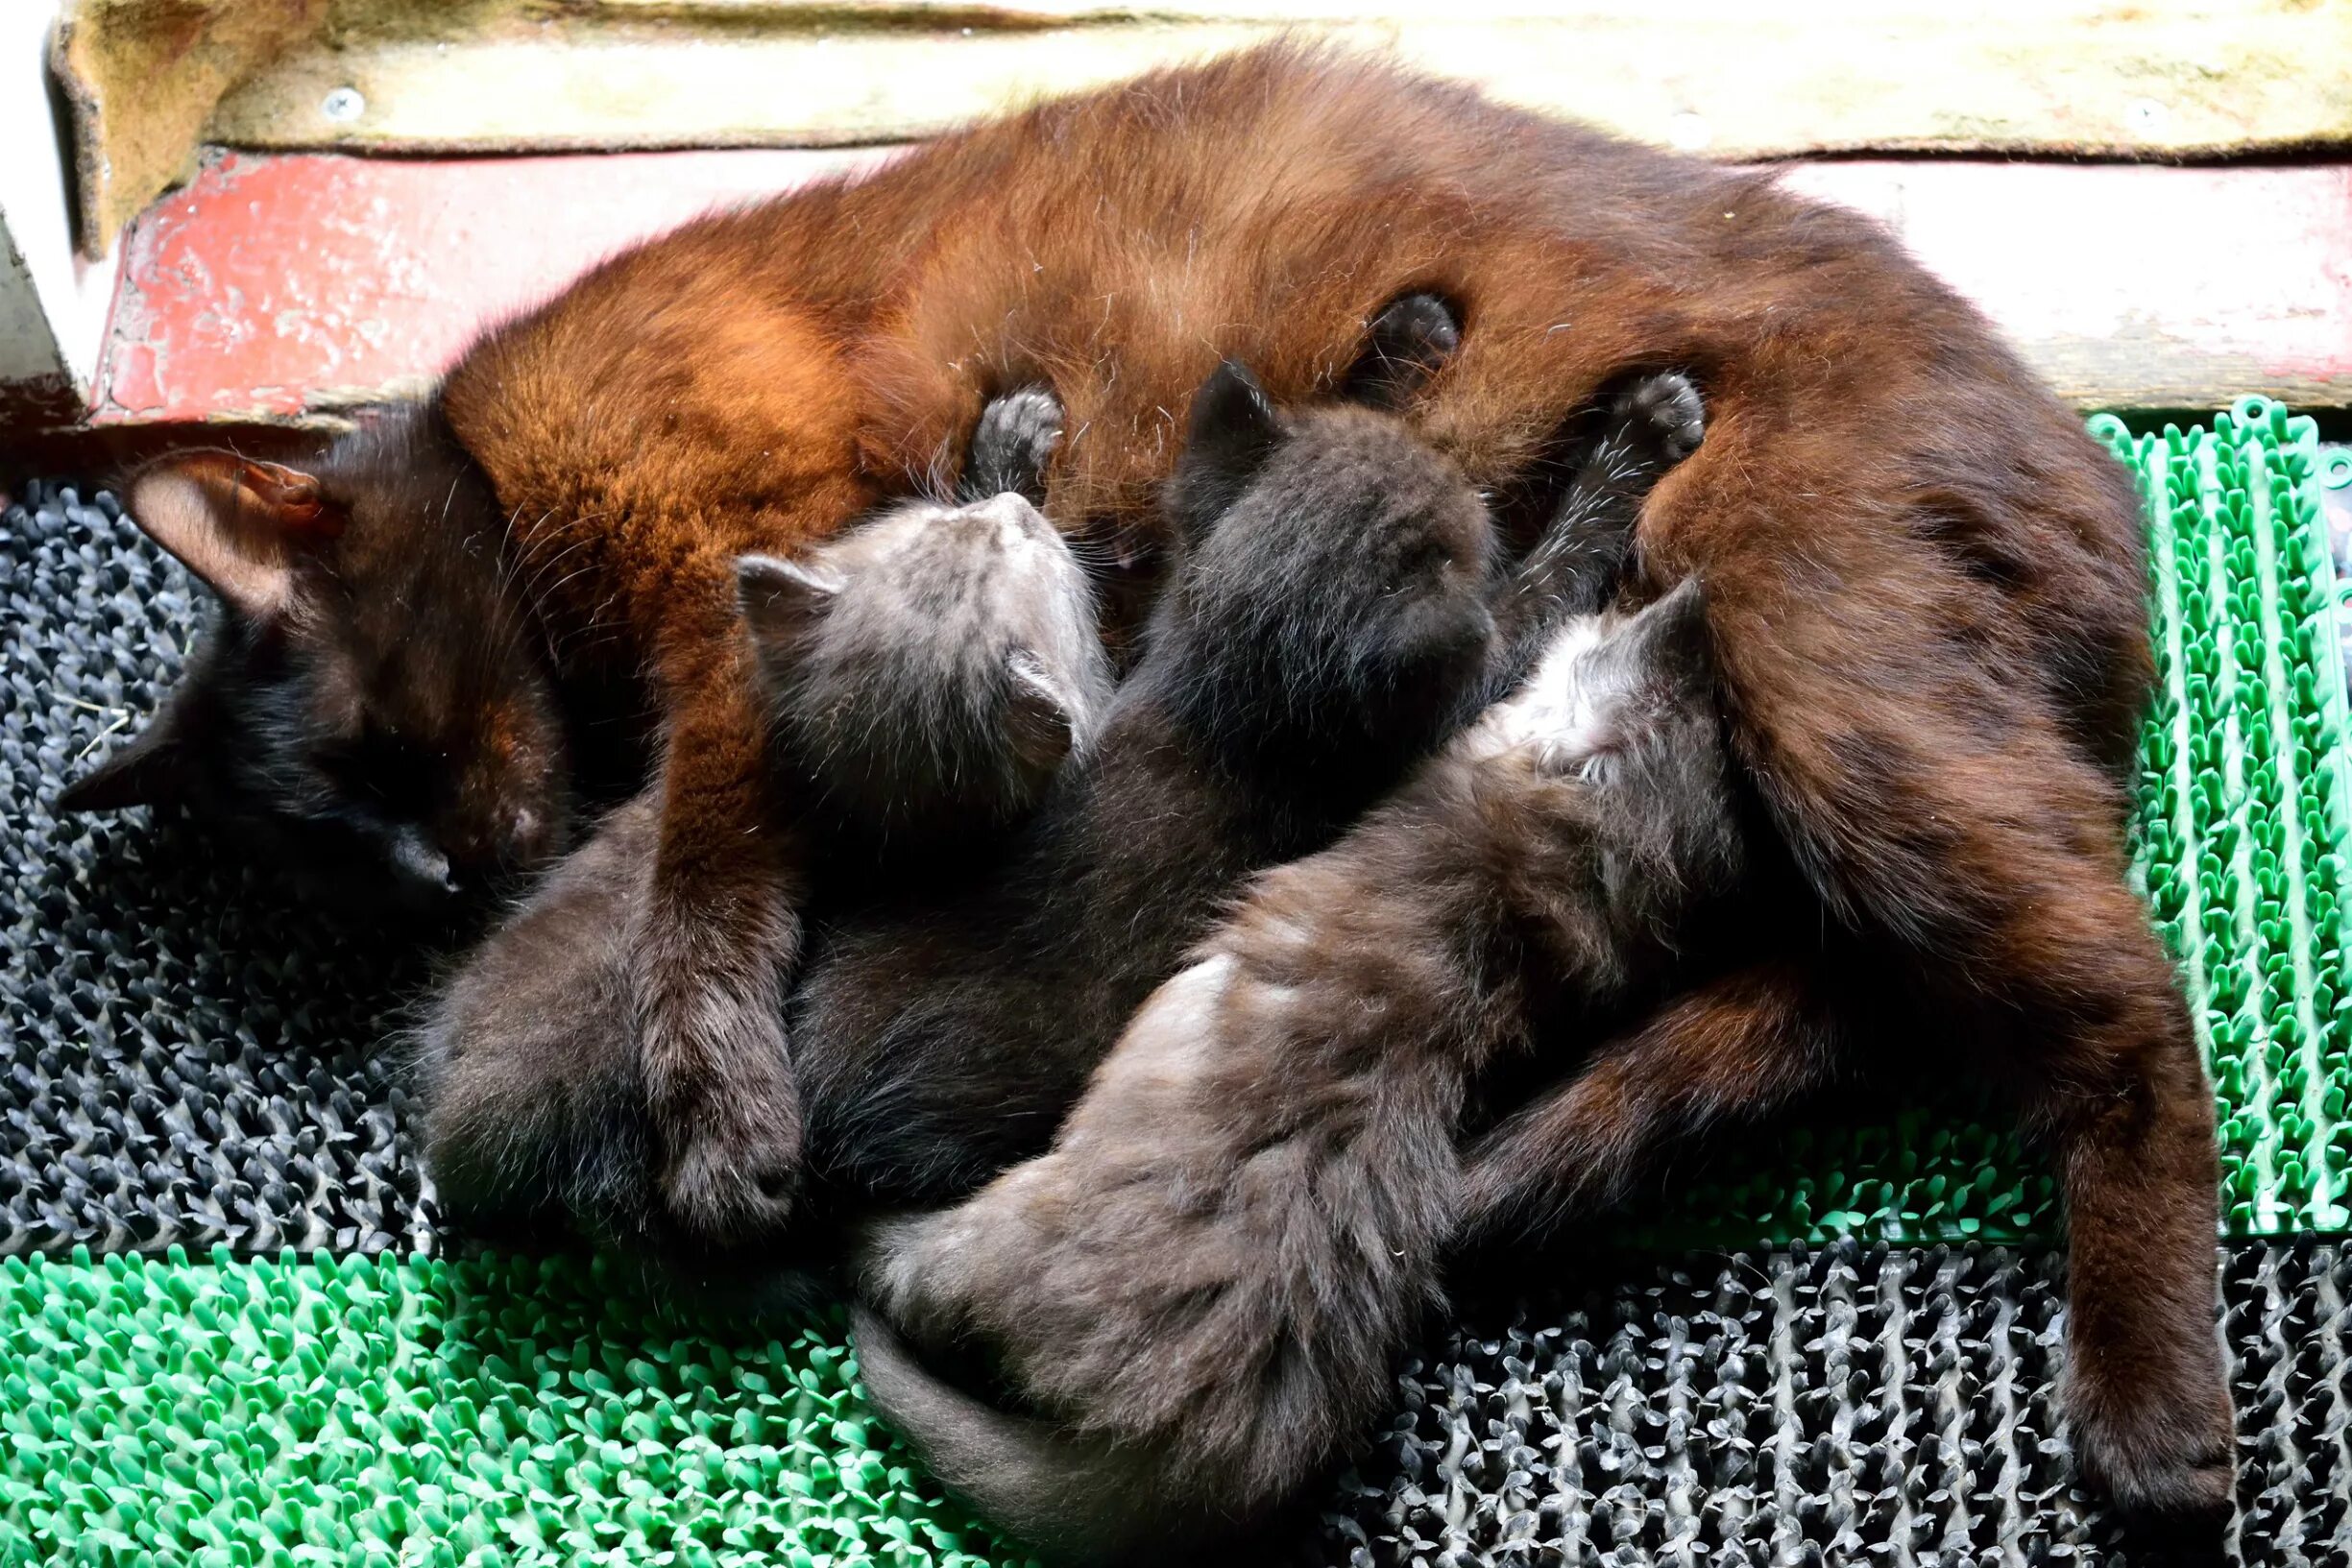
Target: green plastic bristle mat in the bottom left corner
[486,1412]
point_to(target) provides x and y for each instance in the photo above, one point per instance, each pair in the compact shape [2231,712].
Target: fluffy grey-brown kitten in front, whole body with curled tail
[1203,1287]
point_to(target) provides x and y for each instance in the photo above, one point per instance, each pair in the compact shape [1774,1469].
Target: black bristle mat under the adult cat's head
[192,1054]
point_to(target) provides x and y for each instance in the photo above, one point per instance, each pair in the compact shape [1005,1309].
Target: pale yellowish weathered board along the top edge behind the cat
[1737,79]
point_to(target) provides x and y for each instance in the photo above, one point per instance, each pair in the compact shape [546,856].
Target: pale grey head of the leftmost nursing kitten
[935,666]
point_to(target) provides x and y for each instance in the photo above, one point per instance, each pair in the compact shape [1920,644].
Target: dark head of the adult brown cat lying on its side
[368,697]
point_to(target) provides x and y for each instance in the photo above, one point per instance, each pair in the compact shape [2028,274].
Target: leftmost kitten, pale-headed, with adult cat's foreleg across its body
[930,671]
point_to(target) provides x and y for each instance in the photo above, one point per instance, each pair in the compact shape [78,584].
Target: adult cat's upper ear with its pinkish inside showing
[236,523]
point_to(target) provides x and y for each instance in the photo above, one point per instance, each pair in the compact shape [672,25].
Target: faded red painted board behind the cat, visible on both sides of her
[279,286]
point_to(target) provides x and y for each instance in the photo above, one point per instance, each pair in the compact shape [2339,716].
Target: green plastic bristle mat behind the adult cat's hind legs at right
[2240,845]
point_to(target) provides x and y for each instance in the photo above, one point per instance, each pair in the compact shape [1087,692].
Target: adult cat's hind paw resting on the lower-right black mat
[2160,1454]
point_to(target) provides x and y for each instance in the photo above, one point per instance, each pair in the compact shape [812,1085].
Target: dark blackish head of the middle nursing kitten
[1330,594]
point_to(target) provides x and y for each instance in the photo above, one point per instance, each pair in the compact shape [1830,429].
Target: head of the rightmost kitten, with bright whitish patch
[1629,709]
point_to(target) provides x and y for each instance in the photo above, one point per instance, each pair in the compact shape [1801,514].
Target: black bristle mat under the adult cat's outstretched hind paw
[1855,1405]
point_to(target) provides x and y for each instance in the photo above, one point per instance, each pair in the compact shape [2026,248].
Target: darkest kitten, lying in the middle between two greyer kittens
[1332,617]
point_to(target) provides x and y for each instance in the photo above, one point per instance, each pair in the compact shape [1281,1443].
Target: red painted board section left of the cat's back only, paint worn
[276,286]
